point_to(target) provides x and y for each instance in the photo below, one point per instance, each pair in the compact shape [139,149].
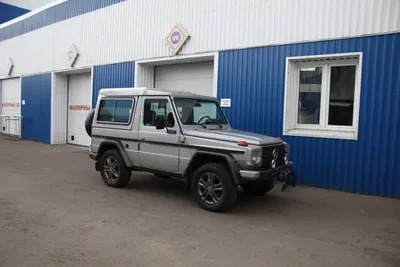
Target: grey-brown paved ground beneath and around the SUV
[56,211]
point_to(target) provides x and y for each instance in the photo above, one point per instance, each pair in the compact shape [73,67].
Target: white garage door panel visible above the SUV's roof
[194,78]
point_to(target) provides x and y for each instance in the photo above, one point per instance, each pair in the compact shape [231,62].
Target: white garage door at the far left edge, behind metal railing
[11,104]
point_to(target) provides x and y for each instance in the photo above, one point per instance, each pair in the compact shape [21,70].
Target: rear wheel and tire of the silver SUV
[120,175]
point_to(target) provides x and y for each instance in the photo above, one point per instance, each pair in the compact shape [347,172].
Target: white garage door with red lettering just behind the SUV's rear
[79,105]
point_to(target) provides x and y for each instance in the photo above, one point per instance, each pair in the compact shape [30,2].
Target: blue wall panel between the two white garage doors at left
[36,113]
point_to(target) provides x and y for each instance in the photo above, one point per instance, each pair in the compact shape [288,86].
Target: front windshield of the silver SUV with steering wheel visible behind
[199,111]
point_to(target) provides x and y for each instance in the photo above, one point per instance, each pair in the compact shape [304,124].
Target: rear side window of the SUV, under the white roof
[115,110]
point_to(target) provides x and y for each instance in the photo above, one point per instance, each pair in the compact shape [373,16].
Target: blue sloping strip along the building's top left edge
[64,11]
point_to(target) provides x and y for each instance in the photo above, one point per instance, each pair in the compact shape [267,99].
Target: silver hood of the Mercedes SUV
[232,135]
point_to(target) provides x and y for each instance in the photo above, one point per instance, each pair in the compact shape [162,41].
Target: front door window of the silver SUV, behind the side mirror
[156,107]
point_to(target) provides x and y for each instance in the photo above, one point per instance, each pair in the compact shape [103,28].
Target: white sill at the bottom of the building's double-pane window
[319,133]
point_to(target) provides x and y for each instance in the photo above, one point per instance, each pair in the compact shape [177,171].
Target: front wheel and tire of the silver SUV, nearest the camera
[219,195]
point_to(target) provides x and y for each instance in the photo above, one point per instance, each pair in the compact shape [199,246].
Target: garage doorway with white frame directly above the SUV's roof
[195,74]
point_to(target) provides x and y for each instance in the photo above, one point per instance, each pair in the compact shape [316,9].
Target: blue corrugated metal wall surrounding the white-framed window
[254,80]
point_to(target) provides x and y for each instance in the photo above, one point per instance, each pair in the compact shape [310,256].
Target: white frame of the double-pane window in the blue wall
[291,127]
